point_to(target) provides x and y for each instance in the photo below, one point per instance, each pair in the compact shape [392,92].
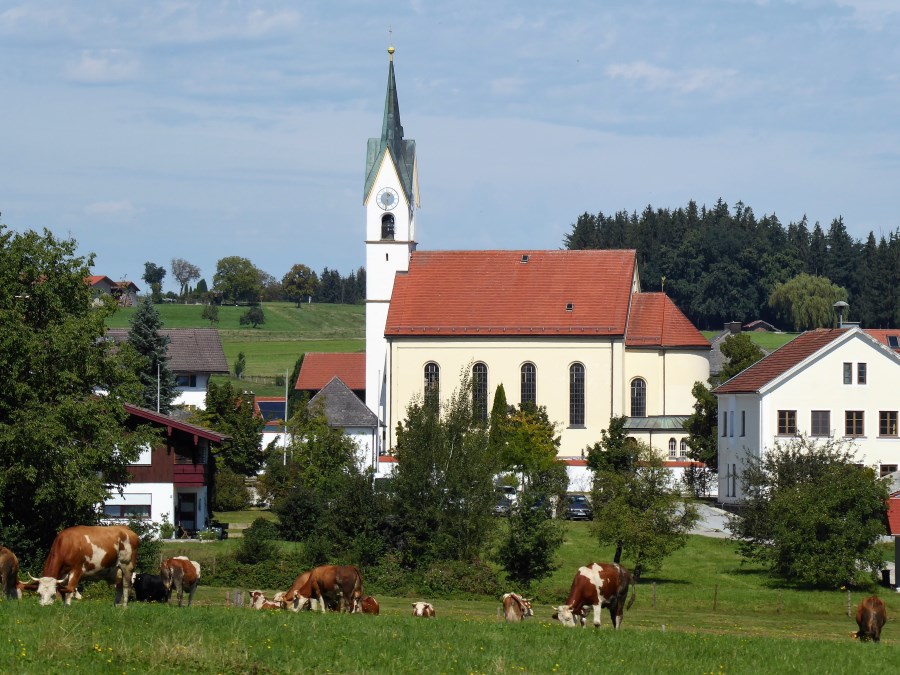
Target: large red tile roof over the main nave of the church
[496,293]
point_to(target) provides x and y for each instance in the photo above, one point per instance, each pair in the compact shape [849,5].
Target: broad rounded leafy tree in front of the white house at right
[811,514]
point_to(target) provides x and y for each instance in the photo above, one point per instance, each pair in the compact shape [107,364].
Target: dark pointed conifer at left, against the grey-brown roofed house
[158,380]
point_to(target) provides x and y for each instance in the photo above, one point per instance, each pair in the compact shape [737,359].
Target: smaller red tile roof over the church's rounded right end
[655,321]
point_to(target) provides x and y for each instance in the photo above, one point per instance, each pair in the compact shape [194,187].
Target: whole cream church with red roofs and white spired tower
[568,330]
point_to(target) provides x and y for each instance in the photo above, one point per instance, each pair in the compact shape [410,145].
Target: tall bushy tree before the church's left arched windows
[442,490]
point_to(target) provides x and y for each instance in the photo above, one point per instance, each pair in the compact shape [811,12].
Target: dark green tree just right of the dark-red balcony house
[231,412]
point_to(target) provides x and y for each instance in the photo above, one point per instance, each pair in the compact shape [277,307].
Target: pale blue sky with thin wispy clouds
[169,129]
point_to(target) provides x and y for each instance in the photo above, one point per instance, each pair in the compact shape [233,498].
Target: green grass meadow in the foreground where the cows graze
[704,612]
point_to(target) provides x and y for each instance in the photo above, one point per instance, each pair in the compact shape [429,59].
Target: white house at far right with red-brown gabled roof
[825,384]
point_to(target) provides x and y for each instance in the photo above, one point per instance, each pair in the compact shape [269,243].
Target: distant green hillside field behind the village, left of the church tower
[273,347]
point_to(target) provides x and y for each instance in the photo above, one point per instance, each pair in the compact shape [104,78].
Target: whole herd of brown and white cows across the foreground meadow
[109,553]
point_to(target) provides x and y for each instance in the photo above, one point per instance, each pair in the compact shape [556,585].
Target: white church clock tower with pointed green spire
[390,196]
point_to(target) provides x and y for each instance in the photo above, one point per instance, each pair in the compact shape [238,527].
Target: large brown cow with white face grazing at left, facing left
[89,552]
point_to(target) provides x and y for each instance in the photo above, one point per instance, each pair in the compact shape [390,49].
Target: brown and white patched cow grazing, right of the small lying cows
[597,585]
